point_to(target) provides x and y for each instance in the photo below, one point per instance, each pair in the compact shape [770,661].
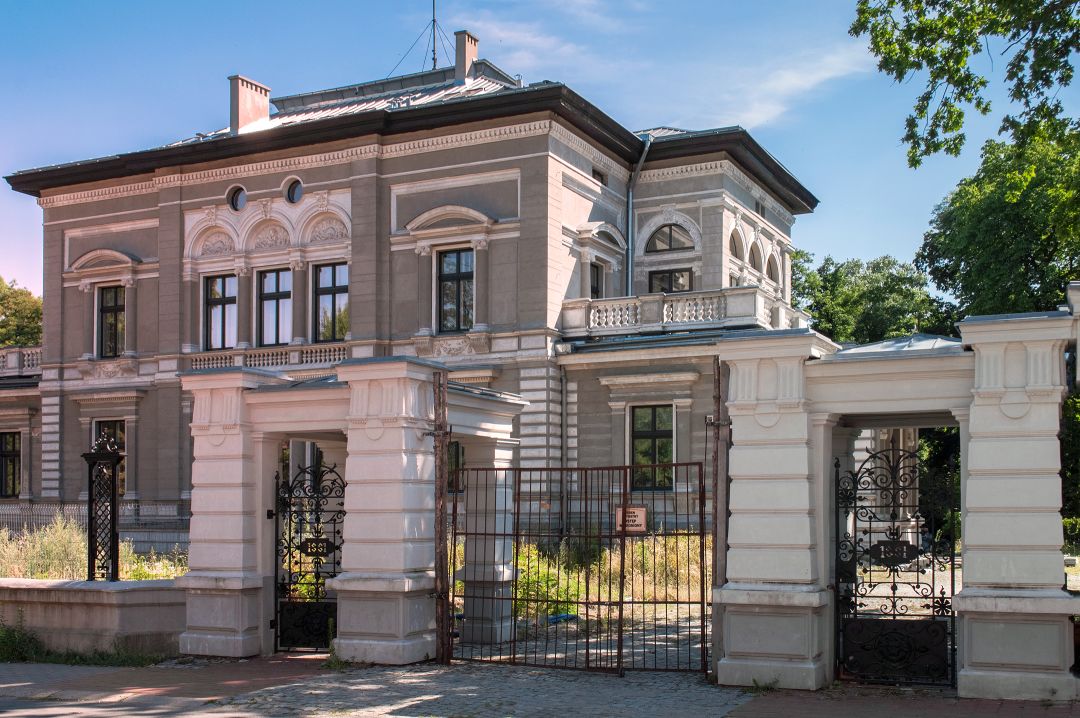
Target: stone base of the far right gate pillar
[1017,644]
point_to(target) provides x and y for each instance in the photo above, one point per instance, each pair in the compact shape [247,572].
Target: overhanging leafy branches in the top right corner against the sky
[942,39]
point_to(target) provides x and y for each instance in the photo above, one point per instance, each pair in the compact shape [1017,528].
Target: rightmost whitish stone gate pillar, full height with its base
[1016,629]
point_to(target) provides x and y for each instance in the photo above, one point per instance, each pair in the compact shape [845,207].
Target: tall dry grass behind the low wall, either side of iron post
[59,551]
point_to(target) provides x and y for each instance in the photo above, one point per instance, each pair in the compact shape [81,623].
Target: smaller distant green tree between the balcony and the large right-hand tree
[856,302]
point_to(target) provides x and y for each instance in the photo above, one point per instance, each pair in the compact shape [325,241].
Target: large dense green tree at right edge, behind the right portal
[1008,239]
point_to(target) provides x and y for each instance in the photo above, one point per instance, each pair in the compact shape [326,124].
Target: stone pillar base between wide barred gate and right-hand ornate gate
[774,636]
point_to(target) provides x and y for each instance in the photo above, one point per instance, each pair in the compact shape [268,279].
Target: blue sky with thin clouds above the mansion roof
[86,79]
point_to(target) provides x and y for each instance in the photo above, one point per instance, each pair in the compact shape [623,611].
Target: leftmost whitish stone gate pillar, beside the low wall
[231,574]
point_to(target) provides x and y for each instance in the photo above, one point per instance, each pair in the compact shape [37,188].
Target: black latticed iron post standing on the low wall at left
[103,507]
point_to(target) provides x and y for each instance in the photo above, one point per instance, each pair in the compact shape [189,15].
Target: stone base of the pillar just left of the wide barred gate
[385,618]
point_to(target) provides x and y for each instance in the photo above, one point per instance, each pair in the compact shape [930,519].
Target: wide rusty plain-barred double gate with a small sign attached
[601,570]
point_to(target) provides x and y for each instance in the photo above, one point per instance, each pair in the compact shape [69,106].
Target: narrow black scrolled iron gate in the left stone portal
[310,514]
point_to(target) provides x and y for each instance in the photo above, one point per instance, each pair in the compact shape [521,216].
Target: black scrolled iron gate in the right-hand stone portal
[896,572]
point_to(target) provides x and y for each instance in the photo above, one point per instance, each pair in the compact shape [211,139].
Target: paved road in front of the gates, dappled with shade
[299,686]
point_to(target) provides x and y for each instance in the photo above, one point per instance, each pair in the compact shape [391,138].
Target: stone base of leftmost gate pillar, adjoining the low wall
[224,616]
